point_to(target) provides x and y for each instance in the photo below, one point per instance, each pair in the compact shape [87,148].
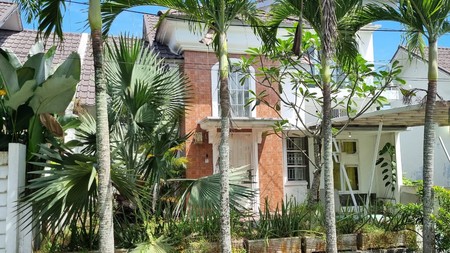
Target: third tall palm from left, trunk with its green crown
[331,20]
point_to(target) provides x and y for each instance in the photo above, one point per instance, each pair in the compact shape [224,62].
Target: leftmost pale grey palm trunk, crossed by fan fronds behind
[106,229]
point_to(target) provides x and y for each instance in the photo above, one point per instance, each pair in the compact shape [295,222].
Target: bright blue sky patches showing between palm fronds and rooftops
[386,40]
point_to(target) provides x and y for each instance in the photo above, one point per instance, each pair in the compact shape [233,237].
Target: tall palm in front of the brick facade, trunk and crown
[215,16]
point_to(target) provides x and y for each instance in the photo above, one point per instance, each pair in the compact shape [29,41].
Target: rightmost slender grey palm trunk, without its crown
[428,150]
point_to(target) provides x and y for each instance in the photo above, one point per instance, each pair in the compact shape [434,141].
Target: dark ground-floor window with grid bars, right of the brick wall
[296,160]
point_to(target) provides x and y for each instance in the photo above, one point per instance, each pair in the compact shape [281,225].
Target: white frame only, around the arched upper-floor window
[215,88]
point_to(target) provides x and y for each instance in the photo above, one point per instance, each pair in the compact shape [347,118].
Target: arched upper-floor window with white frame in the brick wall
[239,87]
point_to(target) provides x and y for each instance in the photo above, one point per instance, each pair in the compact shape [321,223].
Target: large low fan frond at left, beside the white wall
[66,189]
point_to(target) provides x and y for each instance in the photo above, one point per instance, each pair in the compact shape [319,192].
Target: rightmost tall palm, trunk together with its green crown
[429,19]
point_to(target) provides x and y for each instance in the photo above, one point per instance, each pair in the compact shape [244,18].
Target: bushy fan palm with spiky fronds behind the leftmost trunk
[147,101]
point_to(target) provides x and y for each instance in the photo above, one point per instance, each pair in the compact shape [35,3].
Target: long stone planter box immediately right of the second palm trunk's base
[278,245]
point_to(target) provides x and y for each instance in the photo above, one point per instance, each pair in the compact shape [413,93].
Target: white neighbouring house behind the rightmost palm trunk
[414,72]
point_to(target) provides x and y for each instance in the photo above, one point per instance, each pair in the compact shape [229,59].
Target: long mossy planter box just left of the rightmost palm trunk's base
[401,239]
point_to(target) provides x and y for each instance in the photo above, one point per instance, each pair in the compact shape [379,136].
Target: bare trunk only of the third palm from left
[328,22]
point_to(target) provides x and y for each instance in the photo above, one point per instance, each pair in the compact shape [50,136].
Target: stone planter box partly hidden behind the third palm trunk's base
[347,242]
